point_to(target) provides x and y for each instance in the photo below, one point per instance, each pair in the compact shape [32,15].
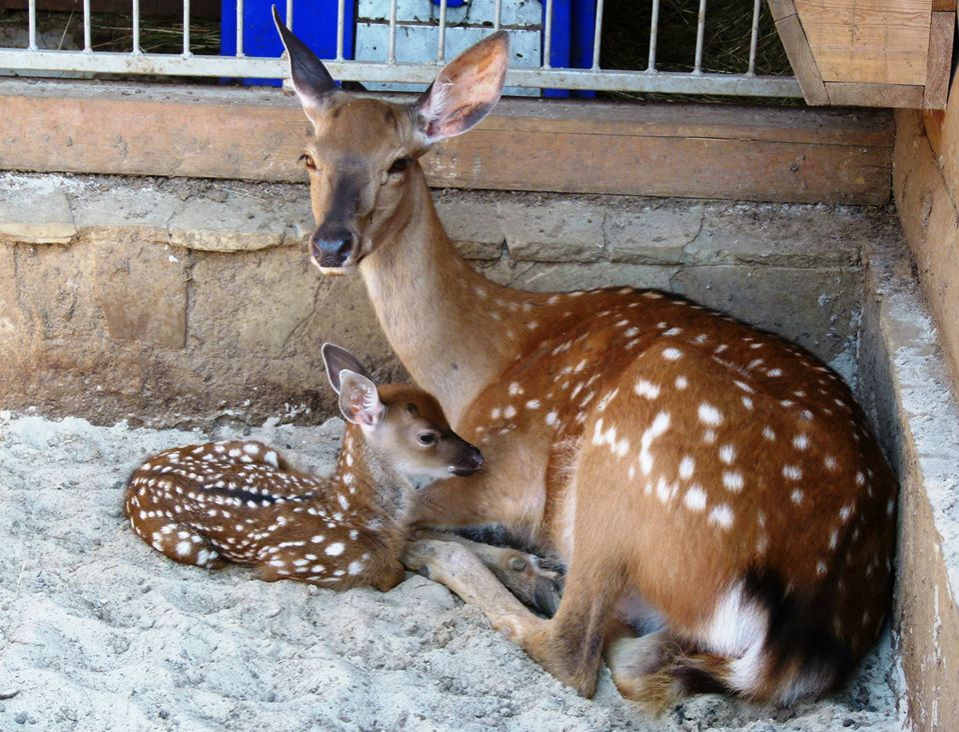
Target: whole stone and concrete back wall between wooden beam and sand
[183,302]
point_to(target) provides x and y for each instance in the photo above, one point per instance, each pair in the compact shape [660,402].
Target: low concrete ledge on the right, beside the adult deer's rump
[906,386]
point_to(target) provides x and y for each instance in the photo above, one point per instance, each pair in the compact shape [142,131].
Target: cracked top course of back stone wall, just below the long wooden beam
[231,216]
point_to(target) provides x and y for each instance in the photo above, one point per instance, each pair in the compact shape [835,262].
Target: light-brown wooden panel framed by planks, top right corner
[868,41]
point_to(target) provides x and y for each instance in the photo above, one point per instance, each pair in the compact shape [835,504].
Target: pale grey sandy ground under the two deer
[99,632]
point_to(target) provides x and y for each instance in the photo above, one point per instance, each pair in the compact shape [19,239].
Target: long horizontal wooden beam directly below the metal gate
[769,154]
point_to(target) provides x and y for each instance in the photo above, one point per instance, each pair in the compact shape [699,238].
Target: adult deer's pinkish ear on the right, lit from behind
[465,90]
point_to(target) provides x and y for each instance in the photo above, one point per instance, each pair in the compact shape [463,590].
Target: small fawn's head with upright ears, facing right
[403,424]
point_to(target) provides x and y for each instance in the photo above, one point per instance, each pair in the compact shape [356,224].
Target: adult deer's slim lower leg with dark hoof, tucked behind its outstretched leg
[536,581]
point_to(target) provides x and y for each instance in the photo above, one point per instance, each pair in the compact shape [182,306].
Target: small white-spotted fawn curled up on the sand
[240,501]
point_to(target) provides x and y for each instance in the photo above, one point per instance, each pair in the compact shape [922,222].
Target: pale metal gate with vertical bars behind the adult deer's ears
[33,60]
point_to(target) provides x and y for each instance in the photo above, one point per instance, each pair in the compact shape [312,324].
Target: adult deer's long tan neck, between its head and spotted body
[449,325]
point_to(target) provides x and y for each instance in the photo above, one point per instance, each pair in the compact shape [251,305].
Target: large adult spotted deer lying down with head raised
[705,481]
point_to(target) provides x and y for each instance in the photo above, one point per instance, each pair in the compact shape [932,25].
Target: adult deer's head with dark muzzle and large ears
[362,158]
